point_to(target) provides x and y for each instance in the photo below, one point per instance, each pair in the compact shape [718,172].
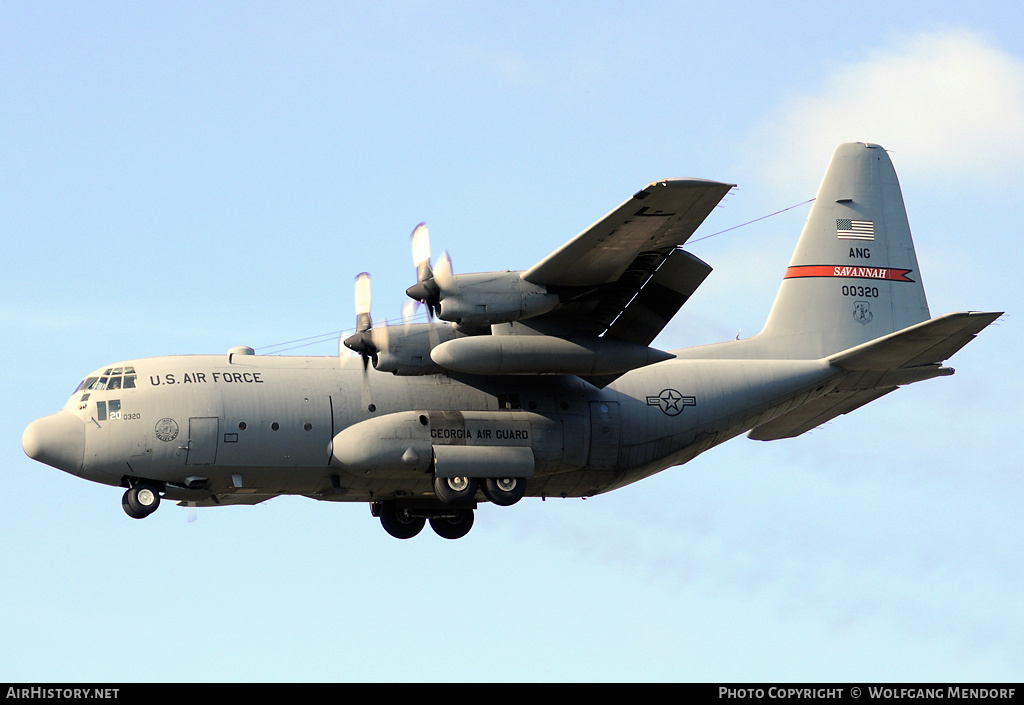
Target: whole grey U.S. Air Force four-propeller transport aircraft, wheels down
[538,384]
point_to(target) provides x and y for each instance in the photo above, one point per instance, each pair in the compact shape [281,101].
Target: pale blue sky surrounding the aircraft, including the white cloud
[186,179]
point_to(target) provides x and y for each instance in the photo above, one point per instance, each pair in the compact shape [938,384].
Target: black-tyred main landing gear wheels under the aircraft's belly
[452,517]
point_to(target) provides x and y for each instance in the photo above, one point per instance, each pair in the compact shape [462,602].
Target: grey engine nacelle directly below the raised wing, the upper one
[483,300]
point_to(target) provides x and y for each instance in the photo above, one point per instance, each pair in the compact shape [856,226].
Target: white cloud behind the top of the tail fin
[946,103]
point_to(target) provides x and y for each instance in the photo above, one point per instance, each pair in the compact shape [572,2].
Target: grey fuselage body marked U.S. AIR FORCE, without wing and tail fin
[232,427]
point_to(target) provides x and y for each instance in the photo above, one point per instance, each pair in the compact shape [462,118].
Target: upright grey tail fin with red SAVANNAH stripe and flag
[855,275]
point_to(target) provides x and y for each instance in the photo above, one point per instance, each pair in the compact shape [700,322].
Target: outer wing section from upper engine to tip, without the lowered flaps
[659,219]
